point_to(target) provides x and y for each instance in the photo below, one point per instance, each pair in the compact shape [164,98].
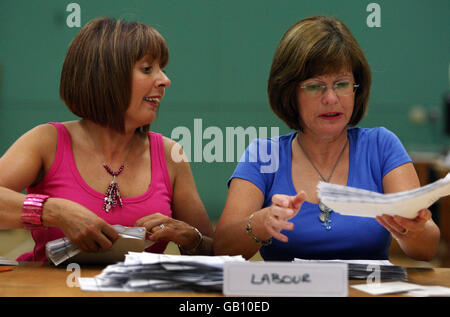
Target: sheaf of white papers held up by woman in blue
[360,202]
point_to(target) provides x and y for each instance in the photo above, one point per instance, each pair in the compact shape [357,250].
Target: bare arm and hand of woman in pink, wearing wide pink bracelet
[24,164]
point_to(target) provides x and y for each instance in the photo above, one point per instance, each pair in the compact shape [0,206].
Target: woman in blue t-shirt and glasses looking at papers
[319,85]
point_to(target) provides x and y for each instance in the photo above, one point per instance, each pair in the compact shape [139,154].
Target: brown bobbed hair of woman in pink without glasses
[97,71]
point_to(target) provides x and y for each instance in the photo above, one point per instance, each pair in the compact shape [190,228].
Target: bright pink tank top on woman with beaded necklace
[63,180]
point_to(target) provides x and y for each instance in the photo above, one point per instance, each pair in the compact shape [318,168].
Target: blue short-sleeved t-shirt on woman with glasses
[373,153]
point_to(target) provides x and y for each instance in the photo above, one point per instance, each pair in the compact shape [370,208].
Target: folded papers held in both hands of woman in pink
[130,239]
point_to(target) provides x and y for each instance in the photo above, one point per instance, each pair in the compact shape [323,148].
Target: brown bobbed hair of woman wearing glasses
[315,46]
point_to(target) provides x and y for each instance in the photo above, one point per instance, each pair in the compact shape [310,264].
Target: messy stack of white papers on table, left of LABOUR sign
[147,272]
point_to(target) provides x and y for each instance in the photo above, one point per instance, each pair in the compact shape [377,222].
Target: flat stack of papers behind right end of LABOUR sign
[368,269]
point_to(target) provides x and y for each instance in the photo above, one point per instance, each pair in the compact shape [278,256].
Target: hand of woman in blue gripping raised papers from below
[401,227]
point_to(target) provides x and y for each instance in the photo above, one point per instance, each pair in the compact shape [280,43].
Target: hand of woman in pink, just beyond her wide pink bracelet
[86,230]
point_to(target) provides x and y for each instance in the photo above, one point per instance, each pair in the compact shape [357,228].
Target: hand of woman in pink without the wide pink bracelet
[161,227]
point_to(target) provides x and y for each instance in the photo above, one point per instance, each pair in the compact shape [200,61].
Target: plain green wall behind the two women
[221,53]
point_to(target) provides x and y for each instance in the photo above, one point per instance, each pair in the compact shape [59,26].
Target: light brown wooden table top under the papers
[40,279]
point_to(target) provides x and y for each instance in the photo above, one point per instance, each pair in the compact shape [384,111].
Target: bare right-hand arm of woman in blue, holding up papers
[422,235]
